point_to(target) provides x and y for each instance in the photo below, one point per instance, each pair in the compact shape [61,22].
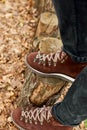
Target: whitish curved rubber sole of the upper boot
[57,75]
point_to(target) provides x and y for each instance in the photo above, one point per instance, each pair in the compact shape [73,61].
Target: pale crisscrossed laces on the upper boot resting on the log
[51,58]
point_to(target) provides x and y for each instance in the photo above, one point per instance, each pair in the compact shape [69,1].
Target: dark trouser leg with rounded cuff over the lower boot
[73,109]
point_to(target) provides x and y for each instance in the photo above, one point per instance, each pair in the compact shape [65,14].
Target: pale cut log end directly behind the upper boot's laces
[46,44]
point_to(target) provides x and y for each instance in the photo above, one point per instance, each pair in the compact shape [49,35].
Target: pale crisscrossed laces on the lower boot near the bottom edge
[36,115]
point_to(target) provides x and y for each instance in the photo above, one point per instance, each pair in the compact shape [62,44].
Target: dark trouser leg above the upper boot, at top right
[72,15]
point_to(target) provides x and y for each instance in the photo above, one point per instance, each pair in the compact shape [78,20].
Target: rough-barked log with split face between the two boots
[39,91]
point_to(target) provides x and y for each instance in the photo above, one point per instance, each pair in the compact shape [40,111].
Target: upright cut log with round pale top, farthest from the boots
[48,25]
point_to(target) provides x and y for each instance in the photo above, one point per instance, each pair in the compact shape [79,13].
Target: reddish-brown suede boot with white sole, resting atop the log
[57,64]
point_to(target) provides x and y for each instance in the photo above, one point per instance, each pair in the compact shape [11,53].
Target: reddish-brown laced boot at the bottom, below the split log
[34,118]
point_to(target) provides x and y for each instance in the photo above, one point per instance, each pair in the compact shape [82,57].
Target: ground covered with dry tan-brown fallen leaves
[18,21]
